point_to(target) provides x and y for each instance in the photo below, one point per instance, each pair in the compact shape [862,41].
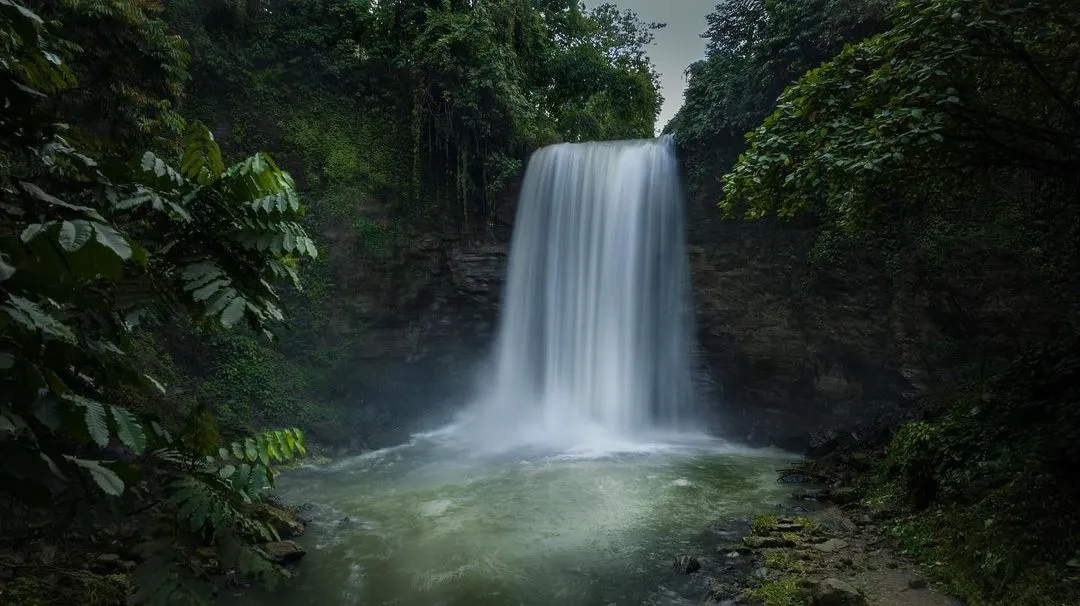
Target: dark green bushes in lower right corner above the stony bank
[990,483]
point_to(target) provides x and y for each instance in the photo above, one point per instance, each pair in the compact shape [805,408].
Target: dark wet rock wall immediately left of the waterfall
[414,332]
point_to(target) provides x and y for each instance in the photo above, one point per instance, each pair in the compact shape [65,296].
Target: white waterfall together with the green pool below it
[577,477]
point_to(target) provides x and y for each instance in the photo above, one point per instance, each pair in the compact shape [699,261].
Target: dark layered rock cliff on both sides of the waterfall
[794,348]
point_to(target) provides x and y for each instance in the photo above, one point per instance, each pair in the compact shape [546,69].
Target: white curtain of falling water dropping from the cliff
[595,341]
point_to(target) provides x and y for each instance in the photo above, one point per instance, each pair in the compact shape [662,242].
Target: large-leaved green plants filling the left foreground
[93,250]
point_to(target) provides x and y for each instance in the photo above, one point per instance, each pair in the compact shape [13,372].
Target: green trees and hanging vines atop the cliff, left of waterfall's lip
[428,107]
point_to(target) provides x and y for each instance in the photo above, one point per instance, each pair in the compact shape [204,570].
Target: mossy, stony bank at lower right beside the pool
[828,551]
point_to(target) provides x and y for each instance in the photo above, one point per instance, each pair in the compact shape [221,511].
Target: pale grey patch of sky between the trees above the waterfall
[677,46]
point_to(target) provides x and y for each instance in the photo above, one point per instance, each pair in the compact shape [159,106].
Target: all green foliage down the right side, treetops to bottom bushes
[941,152]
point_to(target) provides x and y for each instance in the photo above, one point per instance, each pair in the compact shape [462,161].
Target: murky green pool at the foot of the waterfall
[427,523]
